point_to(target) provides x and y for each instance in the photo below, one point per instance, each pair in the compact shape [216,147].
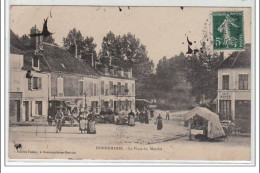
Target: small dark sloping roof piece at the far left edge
[16,44]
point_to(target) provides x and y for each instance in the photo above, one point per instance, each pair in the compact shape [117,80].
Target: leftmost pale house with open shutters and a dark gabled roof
[26,83]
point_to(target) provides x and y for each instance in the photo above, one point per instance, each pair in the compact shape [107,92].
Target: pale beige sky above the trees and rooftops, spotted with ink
[162,30]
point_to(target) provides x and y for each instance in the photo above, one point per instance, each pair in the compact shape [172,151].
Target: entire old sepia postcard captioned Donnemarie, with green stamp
[130,83]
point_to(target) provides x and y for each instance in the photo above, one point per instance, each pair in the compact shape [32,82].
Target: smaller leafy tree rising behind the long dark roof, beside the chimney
[85,46]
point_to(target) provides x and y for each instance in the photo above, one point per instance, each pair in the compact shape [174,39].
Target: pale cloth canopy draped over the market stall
[215,129]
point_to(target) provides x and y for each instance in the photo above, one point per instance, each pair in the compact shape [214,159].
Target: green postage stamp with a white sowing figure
[228,30]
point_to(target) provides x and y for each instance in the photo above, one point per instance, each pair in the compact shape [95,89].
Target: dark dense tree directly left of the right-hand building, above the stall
[202,74]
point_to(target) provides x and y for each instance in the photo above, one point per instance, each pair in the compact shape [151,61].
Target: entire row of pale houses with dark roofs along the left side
[42,72]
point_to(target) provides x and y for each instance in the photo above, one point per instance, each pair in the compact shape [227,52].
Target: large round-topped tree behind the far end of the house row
[127,52]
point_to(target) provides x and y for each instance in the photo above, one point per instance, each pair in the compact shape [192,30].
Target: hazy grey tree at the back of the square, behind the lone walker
[170,84]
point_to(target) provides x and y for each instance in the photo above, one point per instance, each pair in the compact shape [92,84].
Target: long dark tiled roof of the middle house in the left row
[60,60]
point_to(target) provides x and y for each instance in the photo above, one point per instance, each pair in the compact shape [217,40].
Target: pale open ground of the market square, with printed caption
[123,142]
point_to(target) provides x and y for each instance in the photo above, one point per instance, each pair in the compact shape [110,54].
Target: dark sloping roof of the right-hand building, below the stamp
[238,59]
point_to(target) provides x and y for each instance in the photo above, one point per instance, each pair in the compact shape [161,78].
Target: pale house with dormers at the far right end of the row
[117,88]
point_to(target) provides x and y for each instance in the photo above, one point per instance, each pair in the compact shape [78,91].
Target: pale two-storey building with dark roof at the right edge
[234,87]
